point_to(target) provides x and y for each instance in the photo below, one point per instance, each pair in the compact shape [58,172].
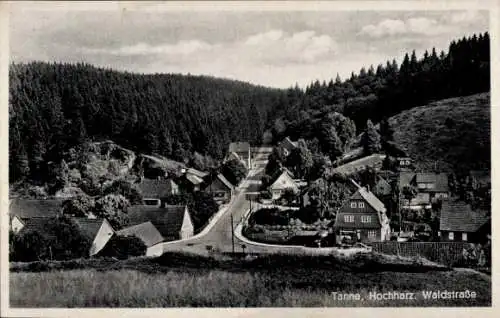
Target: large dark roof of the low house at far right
[459,216]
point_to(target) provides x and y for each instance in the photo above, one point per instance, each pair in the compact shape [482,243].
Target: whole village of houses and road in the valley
[363,203]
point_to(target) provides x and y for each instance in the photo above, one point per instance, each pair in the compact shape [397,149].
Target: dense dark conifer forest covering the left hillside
[56,106]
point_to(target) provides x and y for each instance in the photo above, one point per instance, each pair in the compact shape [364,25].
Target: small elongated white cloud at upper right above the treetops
[418,25]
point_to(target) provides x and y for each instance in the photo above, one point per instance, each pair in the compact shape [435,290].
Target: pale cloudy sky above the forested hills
[276,48]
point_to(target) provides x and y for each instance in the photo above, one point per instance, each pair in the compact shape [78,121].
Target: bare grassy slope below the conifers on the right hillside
[451,134]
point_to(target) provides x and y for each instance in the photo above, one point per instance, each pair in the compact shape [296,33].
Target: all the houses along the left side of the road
[153,221]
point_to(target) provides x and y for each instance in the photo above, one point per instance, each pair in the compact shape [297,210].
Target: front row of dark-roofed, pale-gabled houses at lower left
[151,224]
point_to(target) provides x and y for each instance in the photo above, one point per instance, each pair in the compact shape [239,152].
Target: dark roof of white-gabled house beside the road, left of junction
[167,220]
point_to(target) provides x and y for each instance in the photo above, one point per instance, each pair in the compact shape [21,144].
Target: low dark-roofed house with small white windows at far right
[458,222]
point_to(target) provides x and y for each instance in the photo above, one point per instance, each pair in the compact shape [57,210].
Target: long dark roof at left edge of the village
[25,208]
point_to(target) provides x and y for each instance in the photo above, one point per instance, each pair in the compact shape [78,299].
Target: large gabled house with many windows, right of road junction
[362,218]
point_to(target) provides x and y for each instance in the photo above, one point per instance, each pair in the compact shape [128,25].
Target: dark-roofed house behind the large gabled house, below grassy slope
[436,184]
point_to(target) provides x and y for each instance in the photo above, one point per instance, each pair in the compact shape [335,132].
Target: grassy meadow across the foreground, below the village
[268,282]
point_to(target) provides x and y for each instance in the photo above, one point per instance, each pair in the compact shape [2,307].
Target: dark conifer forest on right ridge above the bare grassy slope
[380,92]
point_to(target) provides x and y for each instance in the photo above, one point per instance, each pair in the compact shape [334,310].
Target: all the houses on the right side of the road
[364,216]
